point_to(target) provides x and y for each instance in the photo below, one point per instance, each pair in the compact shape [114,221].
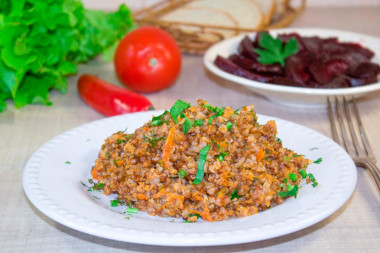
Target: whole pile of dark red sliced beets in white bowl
[319,63]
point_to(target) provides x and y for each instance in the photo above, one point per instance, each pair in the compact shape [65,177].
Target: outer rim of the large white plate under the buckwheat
[167,239]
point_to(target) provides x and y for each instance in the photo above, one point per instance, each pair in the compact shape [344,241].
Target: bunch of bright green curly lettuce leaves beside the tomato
[42,41]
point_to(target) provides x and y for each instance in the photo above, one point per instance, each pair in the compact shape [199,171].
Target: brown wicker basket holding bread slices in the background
[203,36]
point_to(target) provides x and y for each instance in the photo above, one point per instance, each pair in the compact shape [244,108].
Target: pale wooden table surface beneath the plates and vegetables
[354,227]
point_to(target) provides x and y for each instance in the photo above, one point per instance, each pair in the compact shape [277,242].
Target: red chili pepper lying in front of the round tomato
[110,99]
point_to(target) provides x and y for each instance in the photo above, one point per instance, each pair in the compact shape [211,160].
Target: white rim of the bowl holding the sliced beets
[213,51]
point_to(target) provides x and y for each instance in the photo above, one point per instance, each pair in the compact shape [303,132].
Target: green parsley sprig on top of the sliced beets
[273,51]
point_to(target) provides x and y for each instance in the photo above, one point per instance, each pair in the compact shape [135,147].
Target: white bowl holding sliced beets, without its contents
[294,96]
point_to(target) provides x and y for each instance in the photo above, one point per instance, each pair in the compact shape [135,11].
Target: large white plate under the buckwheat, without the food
[54,187]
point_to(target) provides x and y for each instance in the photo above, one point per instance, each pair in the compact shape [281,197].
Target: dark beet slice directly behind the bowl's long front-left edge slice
[255,66]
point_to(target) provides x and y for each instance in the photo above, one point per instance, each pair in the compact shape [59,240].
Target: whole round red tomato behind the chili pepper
[147,59]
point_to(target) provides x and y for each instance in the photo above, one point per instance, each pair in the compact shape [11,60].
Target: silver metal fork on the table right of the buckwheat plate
[356,141]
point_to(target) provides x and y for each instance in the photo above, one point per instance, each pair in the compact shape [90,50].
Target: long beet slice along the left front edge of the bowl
[232,68]
